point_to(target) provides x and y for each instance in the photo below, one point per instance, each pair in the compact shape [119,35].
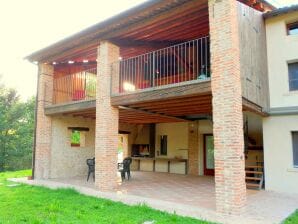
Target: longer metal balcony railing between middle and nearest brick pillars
[183,62]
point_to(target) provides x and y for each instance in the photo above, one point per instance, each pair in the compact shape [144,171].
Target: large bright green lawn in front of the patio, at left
[31,204]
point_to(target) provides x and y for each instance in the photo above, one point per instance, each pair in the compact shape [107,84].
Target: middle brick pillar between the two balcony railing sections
[107,118]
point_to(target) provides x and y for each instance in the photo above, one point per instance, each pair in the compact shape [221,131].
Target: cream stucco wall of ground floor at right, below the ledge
[280,174]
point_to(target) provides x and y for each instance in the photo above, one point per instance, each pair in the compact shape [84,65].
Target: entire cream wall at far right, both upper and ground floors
[282,49]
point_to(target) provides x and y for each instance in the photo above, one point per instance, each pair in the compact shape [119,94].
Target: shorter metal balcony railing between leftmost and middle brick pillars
[75,87]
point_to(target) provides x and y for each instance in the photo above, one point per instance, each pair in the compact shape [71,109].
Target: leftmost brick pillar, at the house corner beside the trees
[43,122]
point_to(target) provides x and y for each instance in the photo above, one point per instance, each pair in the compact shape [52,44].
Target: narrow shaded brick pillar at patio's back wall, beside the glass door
[193,148]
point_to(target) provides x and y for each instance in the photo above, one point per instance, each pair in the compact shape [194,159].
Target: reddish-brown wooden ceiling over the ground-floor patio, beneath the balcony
[160,111]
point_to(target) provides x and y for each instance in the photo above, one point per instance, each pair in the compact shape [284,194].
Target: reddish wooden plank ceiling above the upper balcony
[188,21]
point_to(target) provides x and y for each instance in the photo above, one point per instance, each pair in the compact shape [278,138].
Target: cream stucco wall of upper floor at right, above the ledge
[281,49]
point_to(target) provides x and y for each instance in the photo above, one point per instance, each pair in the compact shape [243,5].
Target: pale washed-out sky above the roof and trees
[27,26]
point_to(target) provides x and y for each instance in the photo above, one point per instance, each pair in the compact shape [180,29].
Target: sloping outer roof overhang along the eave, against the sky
[90,38]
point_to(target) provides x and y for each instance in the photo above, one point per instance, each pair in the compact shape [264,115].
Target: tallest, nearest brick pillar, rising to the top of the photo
[227,107]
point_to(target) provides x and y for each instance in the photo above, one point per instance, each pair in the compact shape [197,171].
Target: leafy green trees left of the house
[16,130]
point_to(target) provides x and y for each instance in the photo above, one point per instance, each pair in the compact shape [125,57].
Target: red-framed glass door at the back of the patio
[208,155]
